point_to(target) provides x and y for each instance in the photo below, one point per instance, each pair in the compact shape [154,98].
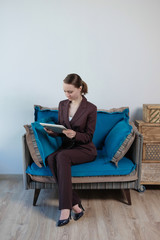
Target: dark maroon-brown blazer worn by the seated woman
[83,123]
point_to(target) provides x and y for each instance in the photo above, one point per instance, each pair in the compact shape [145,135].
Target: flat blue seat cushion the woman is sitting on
[100,167]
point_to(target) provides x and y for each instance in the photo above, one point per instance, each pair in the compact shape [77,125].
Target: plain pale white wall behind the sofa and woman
[112,44]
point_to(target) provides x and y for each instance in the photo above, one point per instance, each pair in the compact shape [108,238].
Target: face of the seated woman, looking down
[71,92]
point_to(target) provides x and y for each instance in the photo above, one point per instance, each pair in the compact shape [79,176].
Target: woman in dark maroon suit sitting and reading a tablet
[79,117]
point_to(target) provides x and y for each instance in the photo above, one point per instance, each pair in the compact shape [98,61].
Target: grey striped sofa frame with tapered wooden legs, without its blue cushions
[125,183]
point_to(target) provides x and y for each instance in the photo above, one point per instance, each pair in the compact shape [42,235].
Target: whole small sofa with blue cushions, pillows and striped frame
[118,162]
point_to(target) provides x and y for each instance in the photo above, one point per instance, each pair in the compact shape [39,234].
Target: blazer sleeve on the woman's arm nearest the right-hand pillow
[87,135]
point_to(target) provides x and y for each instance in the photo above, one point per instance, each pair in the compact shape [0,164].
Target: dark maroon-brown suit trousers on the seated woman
[60,163]
